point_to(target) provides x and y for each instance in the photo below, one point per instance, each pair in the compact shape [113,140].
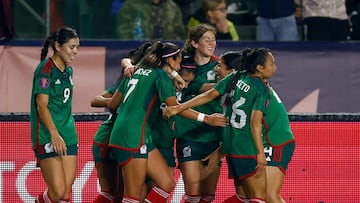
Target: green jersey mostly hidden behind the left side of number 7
[103,133]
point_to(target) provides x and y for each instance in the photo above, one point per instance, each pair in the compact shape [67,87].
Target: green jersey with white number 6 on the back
[249,94]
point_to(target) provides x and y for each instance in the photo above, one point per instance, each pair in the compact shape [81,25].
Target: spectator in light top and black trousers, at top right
[325,19]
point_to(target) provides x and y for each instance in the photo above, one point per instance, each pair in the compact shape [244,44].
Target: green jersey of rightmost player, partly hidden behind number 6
[276,128]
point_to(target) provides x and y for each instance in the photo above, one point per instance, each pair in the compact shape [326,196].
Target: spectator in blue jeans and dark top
[276,21]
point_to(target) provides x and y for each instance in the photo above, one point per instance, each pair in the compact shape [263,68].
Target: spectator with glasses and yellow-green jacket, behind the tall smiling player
[214,12]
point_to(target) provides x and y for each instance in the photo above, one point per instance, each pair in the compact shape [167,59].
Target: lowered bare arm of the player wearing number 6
[256,132]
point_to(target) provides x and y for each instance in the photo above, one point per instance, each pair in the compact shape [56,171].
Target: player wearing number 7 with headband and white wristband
[130,140]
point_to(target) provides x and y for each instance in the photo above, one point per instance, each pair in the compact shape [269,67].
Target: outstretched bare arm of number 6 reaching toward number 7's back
[196,101]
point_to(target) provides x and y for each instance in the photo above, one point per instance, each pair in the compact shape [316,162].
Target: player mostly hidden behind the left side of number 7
[108,171]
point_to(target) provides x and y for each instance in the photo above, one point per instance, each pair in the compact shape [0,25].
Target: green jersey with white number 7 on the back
[142,96]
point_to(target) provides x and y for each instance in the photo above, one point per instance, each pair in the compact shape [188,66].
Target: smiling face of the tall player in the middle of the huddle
[206,44]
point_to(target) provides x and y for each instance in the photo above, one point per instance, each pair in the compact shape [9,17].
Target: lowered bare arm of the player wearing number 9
[45,116]
